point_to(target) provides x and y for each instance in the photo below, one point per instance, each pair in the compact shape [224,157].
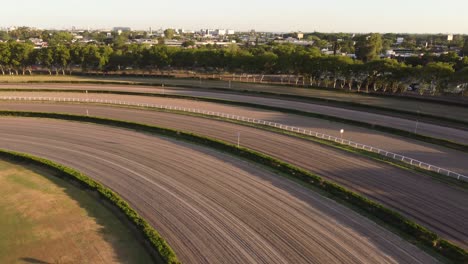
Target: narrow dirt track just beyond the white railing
[433,154]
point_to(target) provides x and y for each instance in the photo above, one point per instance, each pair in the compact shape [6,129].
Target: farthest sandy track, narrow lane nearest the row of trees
[400,123]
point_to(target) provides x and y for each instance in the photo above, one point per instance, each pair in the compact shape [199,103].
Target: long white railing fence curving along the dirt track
[303,131]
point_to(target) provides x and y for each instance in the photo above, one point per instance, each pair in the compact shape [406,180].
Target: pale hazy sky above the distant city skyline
[421,16]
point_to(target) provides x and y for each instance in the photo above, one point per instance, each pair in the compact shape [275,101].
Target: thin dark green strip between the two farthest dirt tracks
[389,130]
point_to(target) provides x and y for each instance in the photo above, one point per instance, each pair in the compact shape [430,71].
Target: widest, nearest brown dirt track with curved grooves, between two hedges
[211,207]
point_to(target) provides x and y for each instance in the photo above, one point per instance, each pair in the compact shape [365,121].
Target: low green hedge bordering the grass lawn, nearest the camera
[164,253]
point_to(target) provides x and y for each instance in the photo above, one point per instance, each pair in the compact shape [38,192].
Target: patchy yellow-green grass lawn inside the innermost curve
[44,219]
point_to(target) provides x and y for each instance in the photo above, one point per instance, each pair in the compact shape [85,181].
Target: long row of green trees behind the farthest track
[434,73]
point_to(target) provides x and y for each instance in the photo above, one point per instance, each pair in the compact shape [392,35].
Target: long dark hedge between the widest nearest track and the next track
[412,231]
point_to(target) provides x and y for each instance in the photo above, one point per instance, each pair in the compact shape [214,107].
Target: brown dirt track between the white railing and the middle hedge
[435,205]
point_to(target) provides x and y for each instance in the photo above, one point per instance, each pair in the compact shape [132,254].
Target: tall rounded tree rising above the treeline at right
[369,47]
